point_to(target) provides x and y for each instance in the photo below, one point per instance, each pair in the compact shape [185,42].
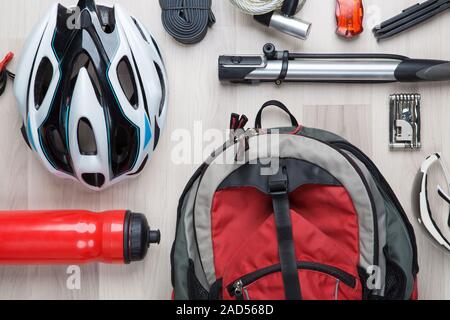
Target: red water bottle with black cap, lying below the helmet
[74,237]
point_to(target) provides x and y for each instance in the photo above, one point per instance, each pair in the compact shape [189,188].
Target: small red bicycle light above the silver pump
[349,17]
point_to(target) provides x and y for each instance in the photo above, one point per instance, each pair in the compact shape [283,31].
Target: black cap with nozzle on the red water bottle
[138,237]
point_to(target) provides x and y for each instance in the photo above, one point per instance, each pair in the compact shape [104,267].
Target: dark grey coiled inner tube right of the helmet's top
[187,20]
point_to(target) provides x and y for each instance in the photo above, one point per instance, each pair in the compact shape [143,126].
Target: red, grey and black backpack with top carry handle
[323,225]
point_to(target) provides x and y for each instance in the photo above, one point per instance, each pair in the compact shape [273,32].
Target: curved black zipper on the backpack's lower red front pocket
[238,288]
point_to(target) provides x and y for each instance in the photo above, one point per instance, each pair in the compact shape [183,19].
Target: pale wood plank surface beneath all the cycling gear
[359,112]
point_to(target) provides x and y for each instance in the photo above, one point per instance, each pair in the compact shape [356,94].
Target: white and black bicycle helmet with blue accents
[91,87]
